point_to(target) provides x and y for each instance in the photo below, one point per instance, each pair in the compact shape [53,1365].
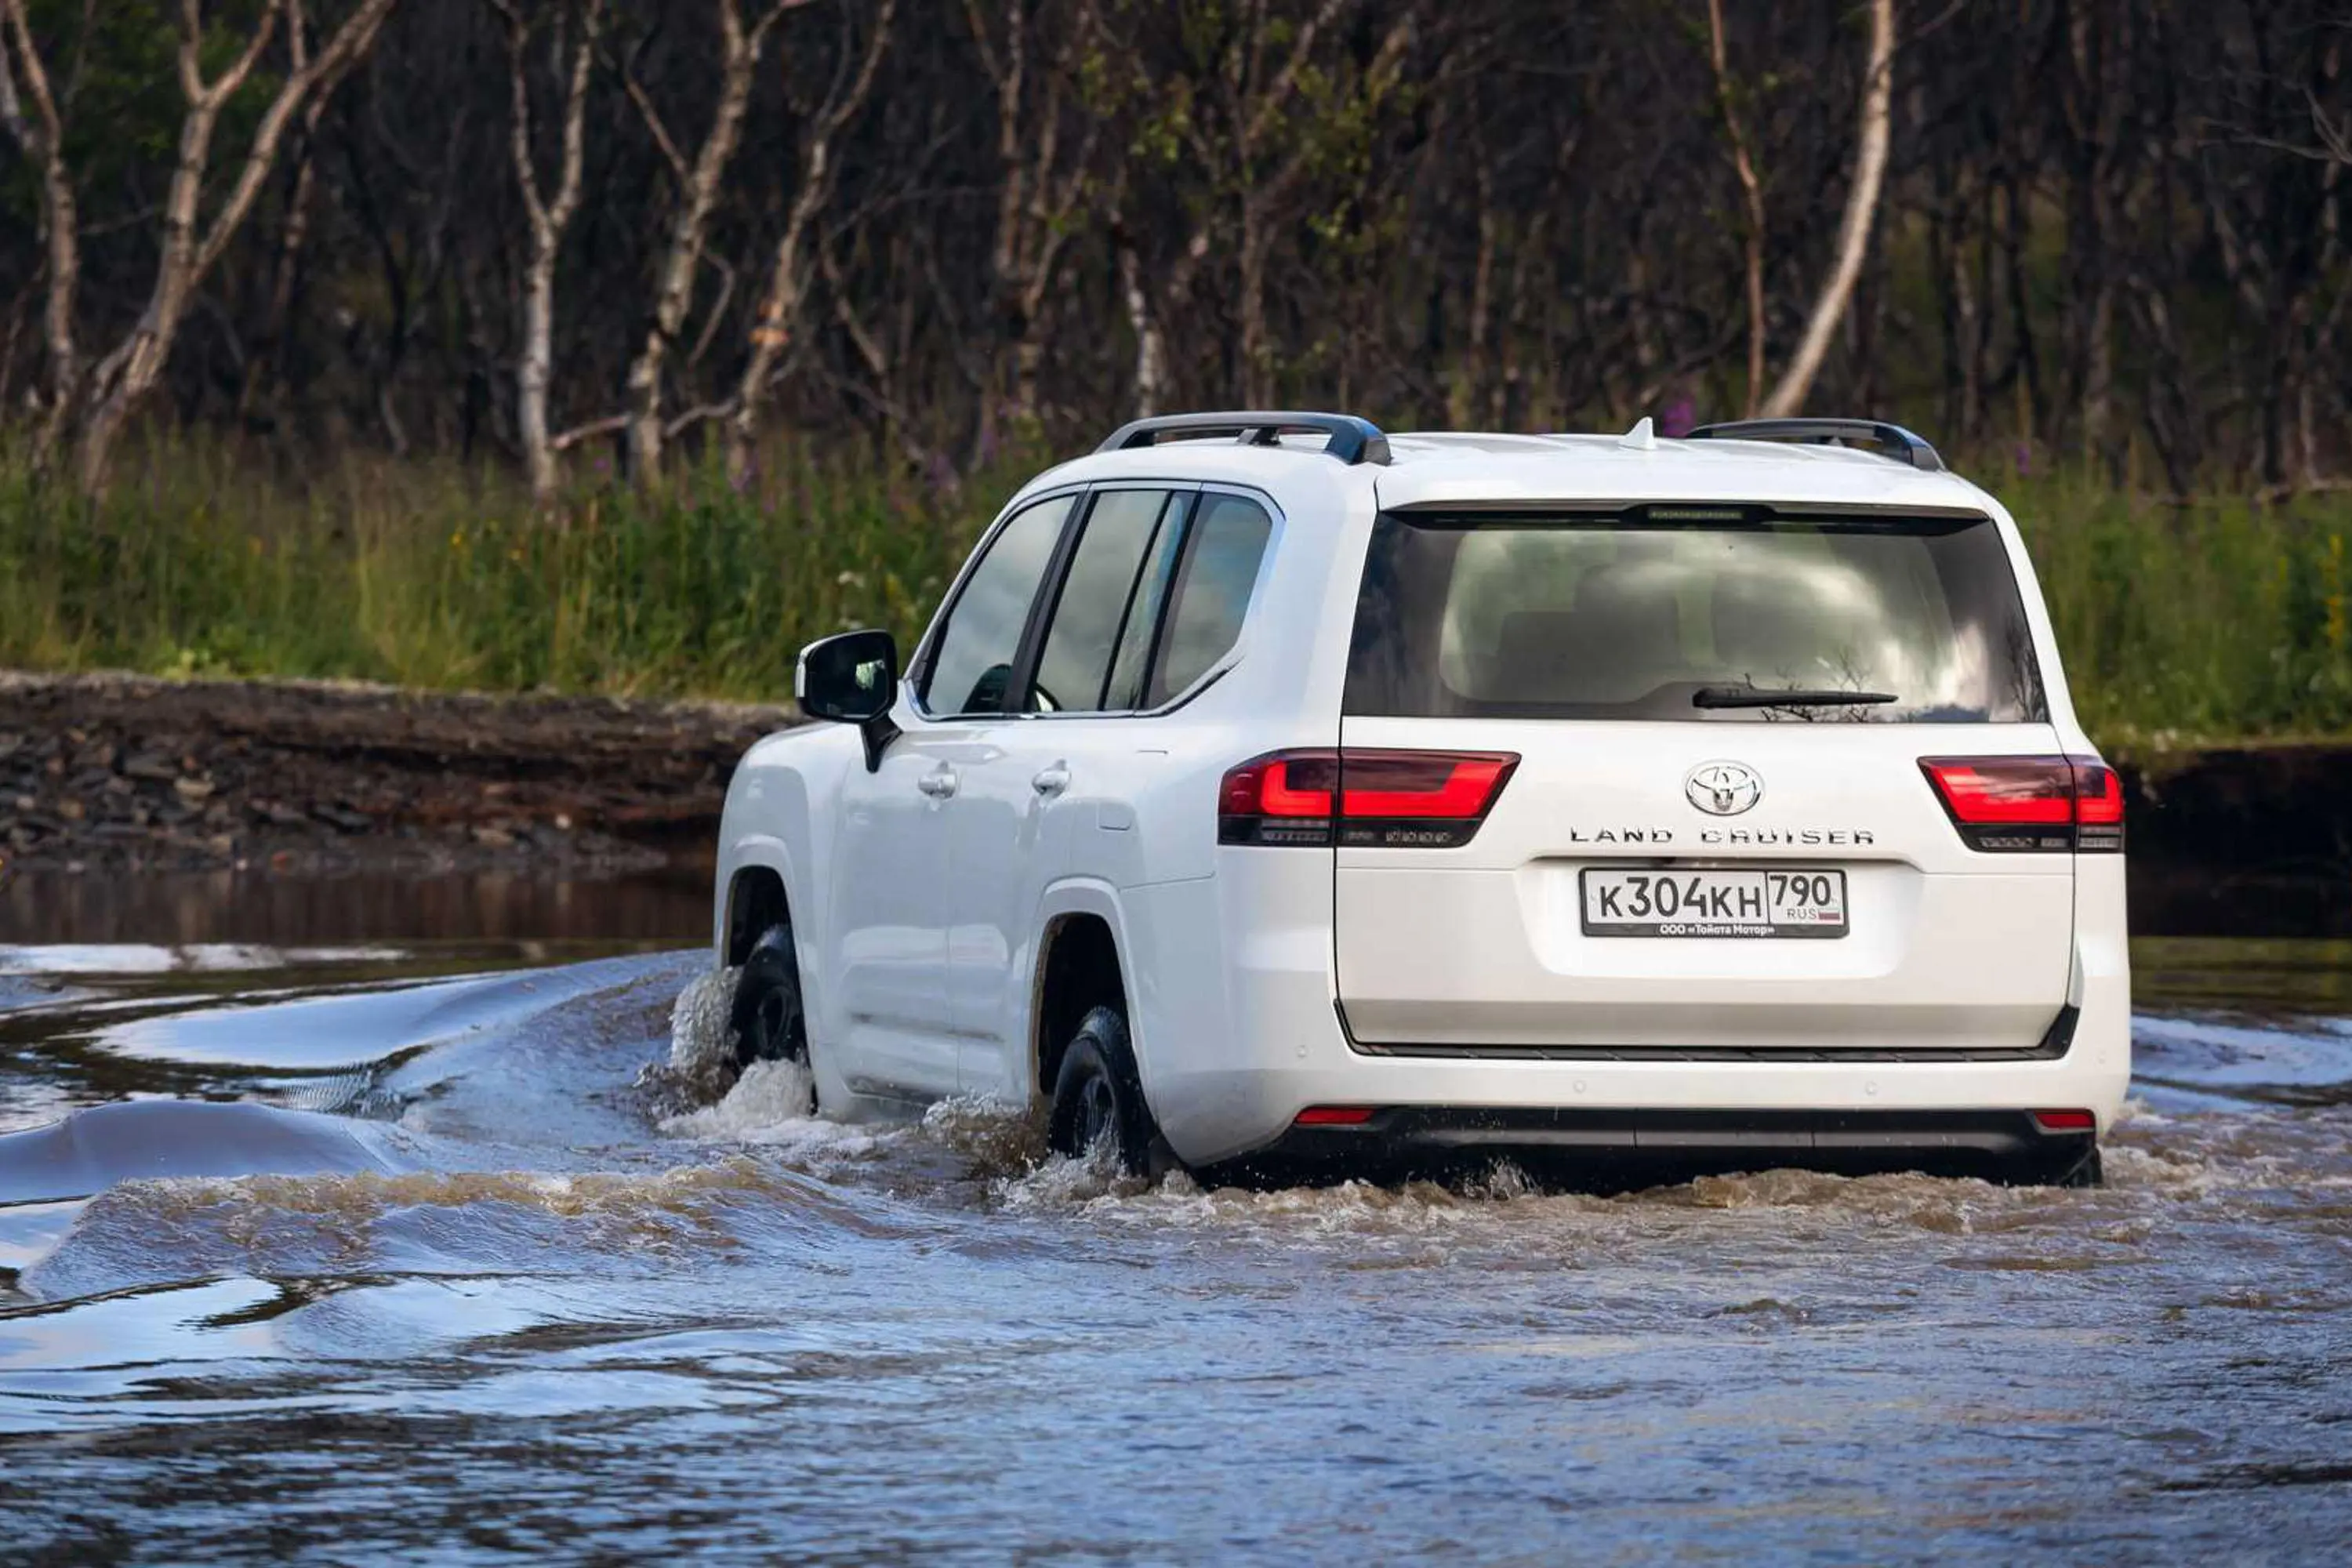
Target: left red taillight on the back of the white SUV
[1365,798]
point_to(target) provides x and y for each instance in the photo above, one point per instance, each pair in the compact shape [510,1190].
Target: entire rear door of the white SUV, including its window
[1718,831]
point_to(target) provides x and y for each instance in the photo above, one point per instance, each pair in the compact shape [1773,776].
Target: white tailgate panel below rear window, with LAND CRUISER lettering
[1485,946]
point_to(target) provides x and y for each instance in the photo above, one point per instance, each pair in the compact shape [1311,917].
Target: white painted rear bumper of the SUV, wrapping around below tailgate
[1238,1033]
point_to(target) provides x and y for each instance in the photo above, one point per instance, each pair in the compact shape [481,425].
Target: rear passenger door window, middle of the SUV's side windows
[1102,596]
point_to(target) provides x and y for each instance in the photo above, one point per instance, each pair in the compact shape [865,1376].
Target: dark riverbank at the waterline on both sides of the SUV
[319,779]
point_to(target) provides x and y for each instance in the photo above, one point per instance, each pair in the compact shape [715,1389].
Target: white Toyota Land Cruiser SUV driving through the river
[1283,798]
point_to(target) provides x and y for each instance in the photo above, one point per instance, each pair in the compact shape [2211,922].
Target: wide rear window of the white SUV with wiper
[1650,617]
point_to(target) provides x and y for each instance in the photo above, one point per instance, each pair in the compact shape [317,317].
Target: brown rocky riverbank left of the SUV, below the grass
[131,775]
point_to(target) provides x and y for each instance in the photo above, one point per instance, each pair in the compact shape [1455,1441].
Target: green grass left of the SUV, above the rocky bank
[439,577]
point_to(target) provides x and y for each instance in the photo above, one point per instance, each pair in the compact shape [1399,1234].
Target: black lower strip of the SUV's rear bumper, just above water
[1648,1146]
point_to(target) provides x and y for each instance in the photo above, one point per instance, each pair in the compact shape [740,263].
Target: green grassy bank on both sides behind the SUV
[2217,619]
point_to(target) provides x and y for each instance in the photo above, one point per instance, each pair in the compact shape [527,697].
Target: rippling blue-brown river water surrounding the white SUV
[455,1252]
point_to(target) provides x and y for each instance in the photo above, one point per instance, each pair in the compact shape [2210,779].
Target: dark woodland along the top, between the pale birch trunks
[1511,210]
